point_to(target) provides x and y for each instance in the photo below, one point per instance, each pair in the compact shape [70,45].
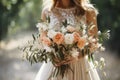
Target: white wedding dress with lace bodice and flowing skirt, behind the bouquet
[83,69]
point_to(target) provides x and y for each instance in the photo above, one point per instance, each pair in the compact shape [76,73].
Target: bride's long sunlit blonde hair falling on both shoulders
[82,5]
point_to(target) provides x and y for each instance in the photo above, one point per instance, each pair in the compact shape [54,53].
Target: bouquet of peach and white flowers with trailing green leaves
[63,46]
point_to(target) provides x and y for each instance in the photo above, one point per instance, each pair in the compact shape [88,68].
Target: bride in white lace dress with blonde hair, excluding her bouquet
[74,11]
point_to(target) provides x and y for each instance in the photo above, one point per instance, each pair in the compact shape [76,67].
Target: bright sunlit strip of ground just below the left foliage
[16,41]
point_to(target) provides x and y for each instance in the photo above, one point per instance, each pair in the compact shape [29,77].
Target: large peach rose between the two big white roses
[58,38]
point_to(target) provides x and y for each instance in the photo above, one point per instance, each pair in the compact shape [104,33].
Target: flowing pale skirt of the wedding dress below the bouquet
[83,70]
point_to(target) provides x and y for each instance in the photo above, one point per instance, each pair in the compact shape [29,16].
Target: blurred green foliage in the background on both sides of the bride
[16,15]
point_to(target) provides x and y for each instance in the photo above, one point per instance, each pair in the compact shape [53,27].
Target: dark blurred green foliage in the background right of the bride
[109,18]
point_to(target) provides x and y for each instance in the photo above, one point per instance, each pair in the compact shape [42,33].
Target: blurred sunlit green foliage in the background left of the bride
[17,15]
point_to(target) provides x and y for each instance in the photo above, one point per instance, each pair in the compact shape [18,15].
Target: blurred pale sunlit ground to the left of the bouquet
[12,64]
